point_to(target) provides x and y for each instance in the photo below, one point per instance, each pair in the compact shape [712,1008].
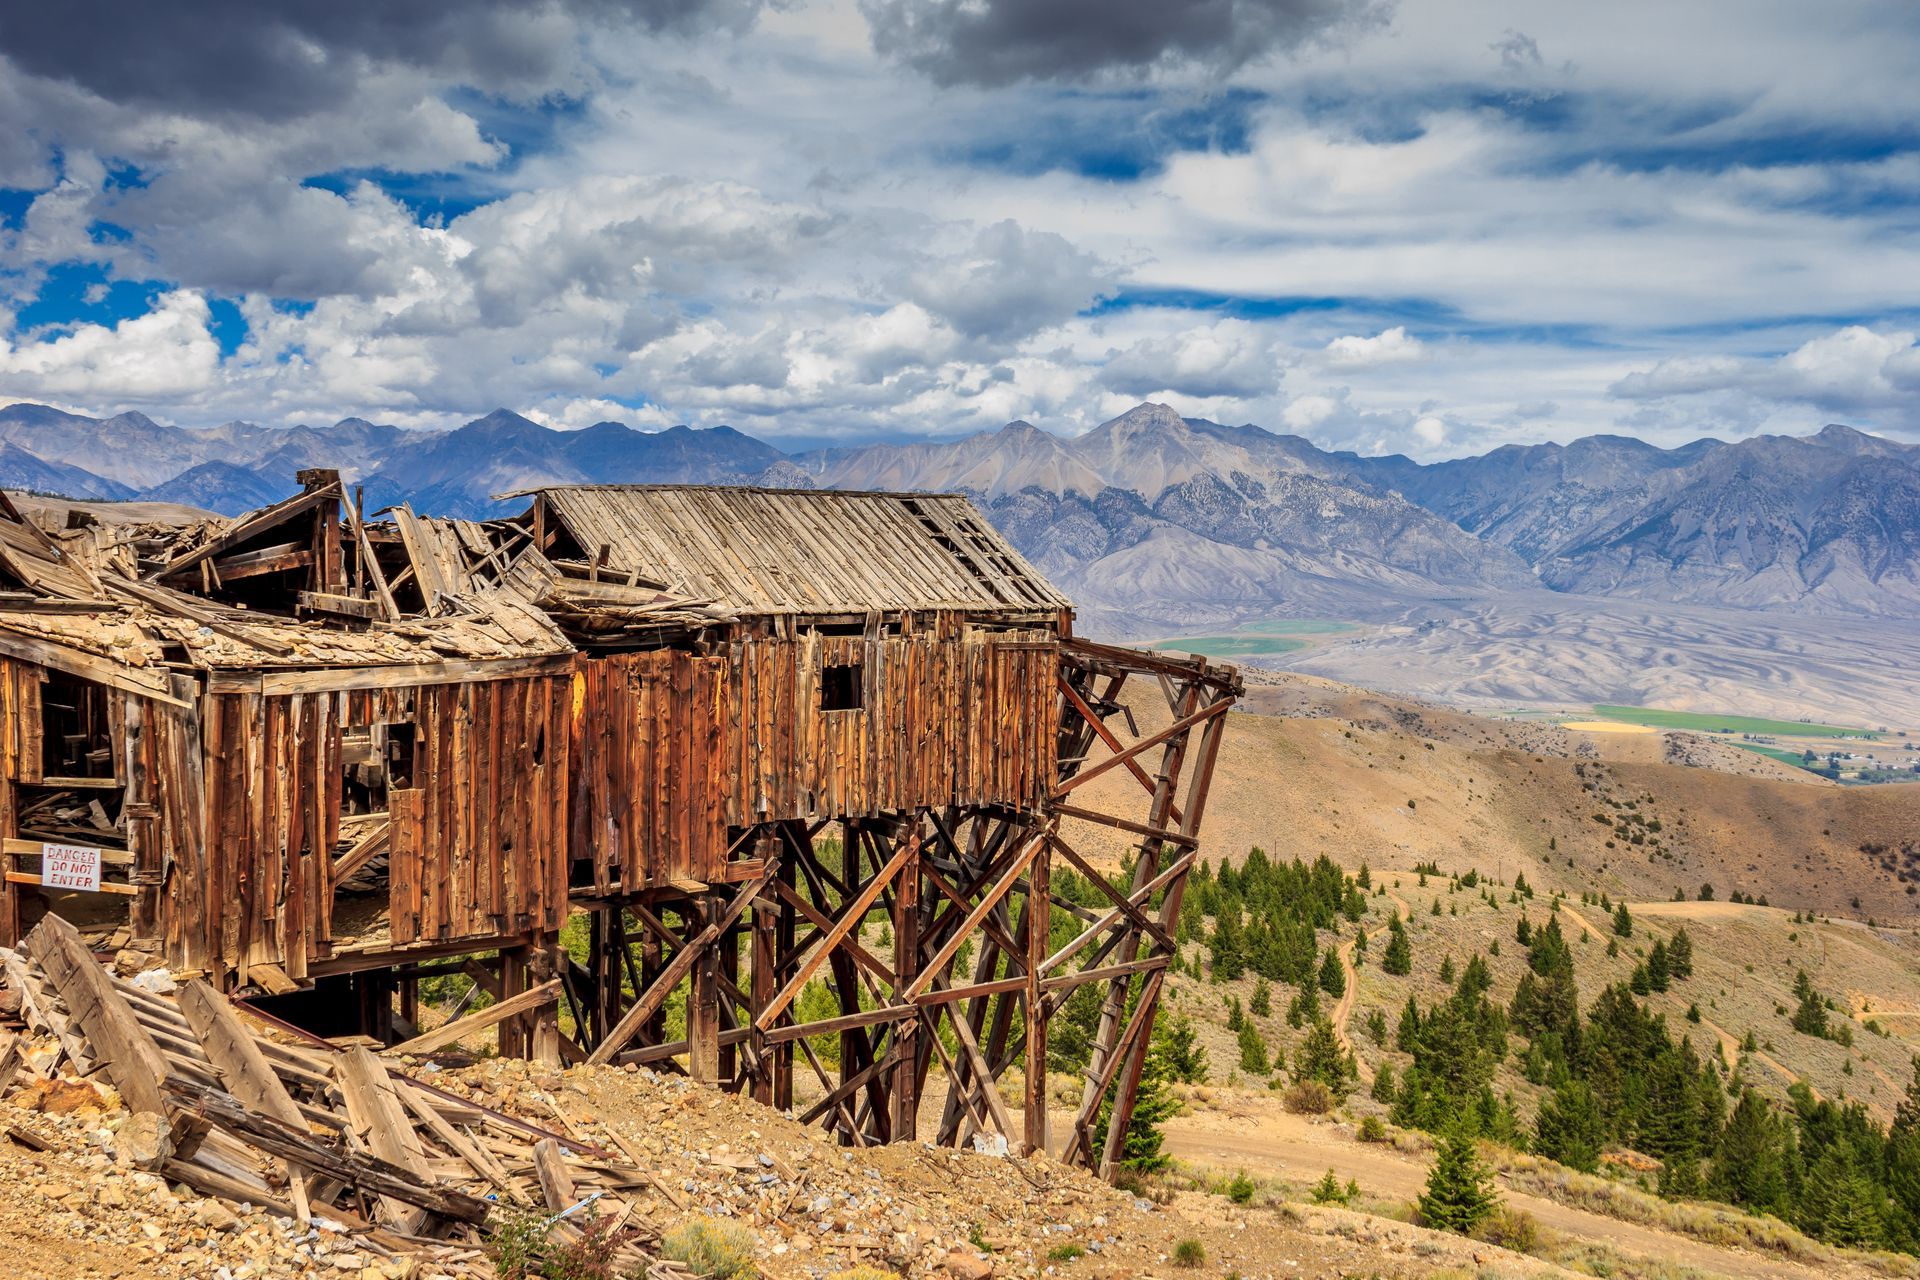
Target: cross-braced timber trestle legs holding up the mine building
[971,978]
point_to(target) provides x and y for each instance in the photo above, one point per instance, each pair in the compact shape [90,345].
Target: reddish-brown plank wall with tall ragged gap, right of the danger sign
[479,840]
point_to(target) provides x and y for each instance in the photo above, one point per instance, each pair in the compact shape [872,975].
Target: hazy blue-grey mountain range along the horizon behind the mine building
[1155,521]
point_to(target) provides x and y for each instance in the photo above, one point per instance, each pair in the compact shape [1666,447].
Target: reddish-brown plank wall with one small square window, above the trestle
[673,749]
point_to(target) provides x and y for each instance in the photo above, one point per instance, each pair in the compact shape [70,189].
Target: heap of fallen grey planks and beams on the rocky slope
[314,1133]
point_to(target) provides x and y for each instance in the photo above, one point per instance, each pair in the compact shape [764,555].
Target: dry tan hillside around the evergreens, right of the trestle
[1504,818]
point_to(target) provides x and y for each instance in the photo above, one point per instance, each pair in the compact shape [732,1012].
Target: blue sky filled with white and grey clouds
[1424,229]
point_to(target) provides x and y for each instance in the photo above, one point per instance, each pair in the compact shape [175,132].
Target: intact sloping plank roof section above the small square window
[804,552]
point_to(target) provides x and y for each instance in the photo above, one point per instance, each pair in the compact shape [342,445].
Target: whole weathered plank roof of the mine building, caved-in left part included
[312,582]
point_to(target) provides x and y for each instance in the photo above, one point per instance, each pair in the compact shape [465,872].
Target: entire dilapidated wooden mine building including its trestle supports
[677,776]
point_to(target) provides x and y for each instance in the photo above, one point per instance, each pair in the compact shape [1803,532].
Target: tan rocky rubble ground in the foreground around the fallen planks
[78,1212]
